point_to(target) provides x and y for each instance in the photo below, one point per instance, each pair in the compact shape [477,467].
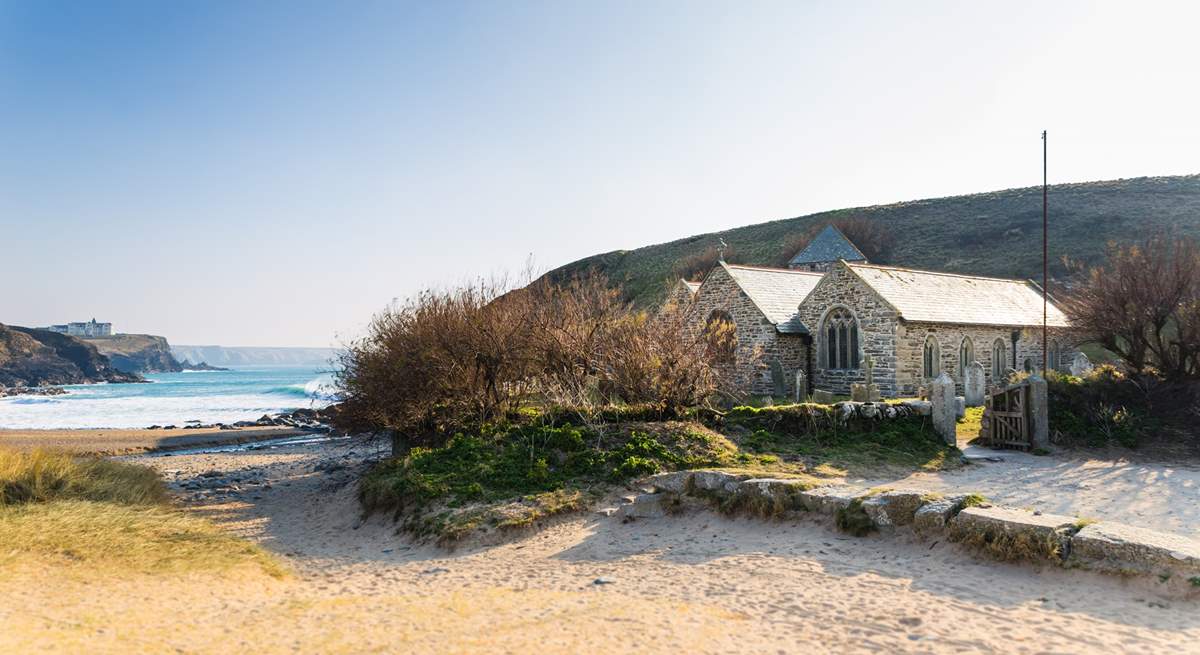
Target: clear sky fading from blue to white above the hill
[273,173]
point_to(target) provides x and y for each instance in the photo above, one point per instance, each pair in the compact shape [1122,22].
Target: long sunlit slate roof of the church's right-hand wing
[947,298]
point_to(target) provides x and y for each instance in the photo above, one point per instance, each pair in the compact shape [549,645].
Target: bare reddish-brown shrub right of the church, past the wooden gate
[1144,305]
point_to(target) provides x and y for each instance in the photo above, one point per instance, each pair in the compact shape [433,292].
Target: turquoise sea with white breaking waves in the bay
[242,394]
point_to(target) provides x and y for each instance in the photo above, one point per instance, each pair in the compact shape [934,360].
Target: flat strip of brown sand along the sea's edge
[111,442]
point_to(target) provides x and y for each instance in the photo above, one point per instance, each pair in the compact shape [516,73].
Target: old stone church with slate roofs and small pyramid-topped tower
[829,316]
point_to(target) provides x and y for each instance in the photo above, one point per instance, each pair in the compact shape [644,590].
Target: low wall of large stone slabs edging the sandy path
[1001,533]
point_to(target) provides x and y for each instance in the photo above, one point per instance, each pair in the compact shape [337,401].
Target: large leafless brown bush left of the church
[448,362]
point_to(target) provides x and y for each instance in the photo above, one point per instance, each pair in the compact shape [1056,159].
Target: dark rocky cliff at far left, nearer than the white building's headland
[39,358]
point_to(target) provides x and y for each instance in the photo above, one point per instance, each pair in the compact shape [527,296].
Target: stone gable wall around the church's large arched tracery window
[877,332]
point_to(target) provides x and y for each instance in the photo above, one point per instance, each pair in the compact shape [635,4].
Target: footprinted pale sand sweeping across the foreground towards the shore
[697,582]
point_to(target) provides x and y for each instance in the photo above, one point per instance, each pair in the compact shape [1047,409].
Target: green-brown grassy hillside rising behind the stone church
[994,235]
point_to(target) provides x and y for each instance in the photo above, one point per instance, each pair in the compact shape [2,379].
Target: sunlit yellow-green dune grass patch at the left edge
[94,516]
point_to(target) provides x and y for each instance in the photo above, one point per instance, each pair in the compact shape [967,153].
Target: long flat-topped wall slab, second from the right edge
[1010,533]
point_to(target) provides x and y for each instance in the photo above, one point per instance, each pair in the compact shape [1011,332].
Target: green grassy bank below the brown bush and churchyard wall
[514,474]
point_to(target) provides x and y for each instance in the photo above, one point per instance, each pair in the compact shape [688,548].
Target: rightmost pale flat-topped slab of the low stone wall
[1114,546]
